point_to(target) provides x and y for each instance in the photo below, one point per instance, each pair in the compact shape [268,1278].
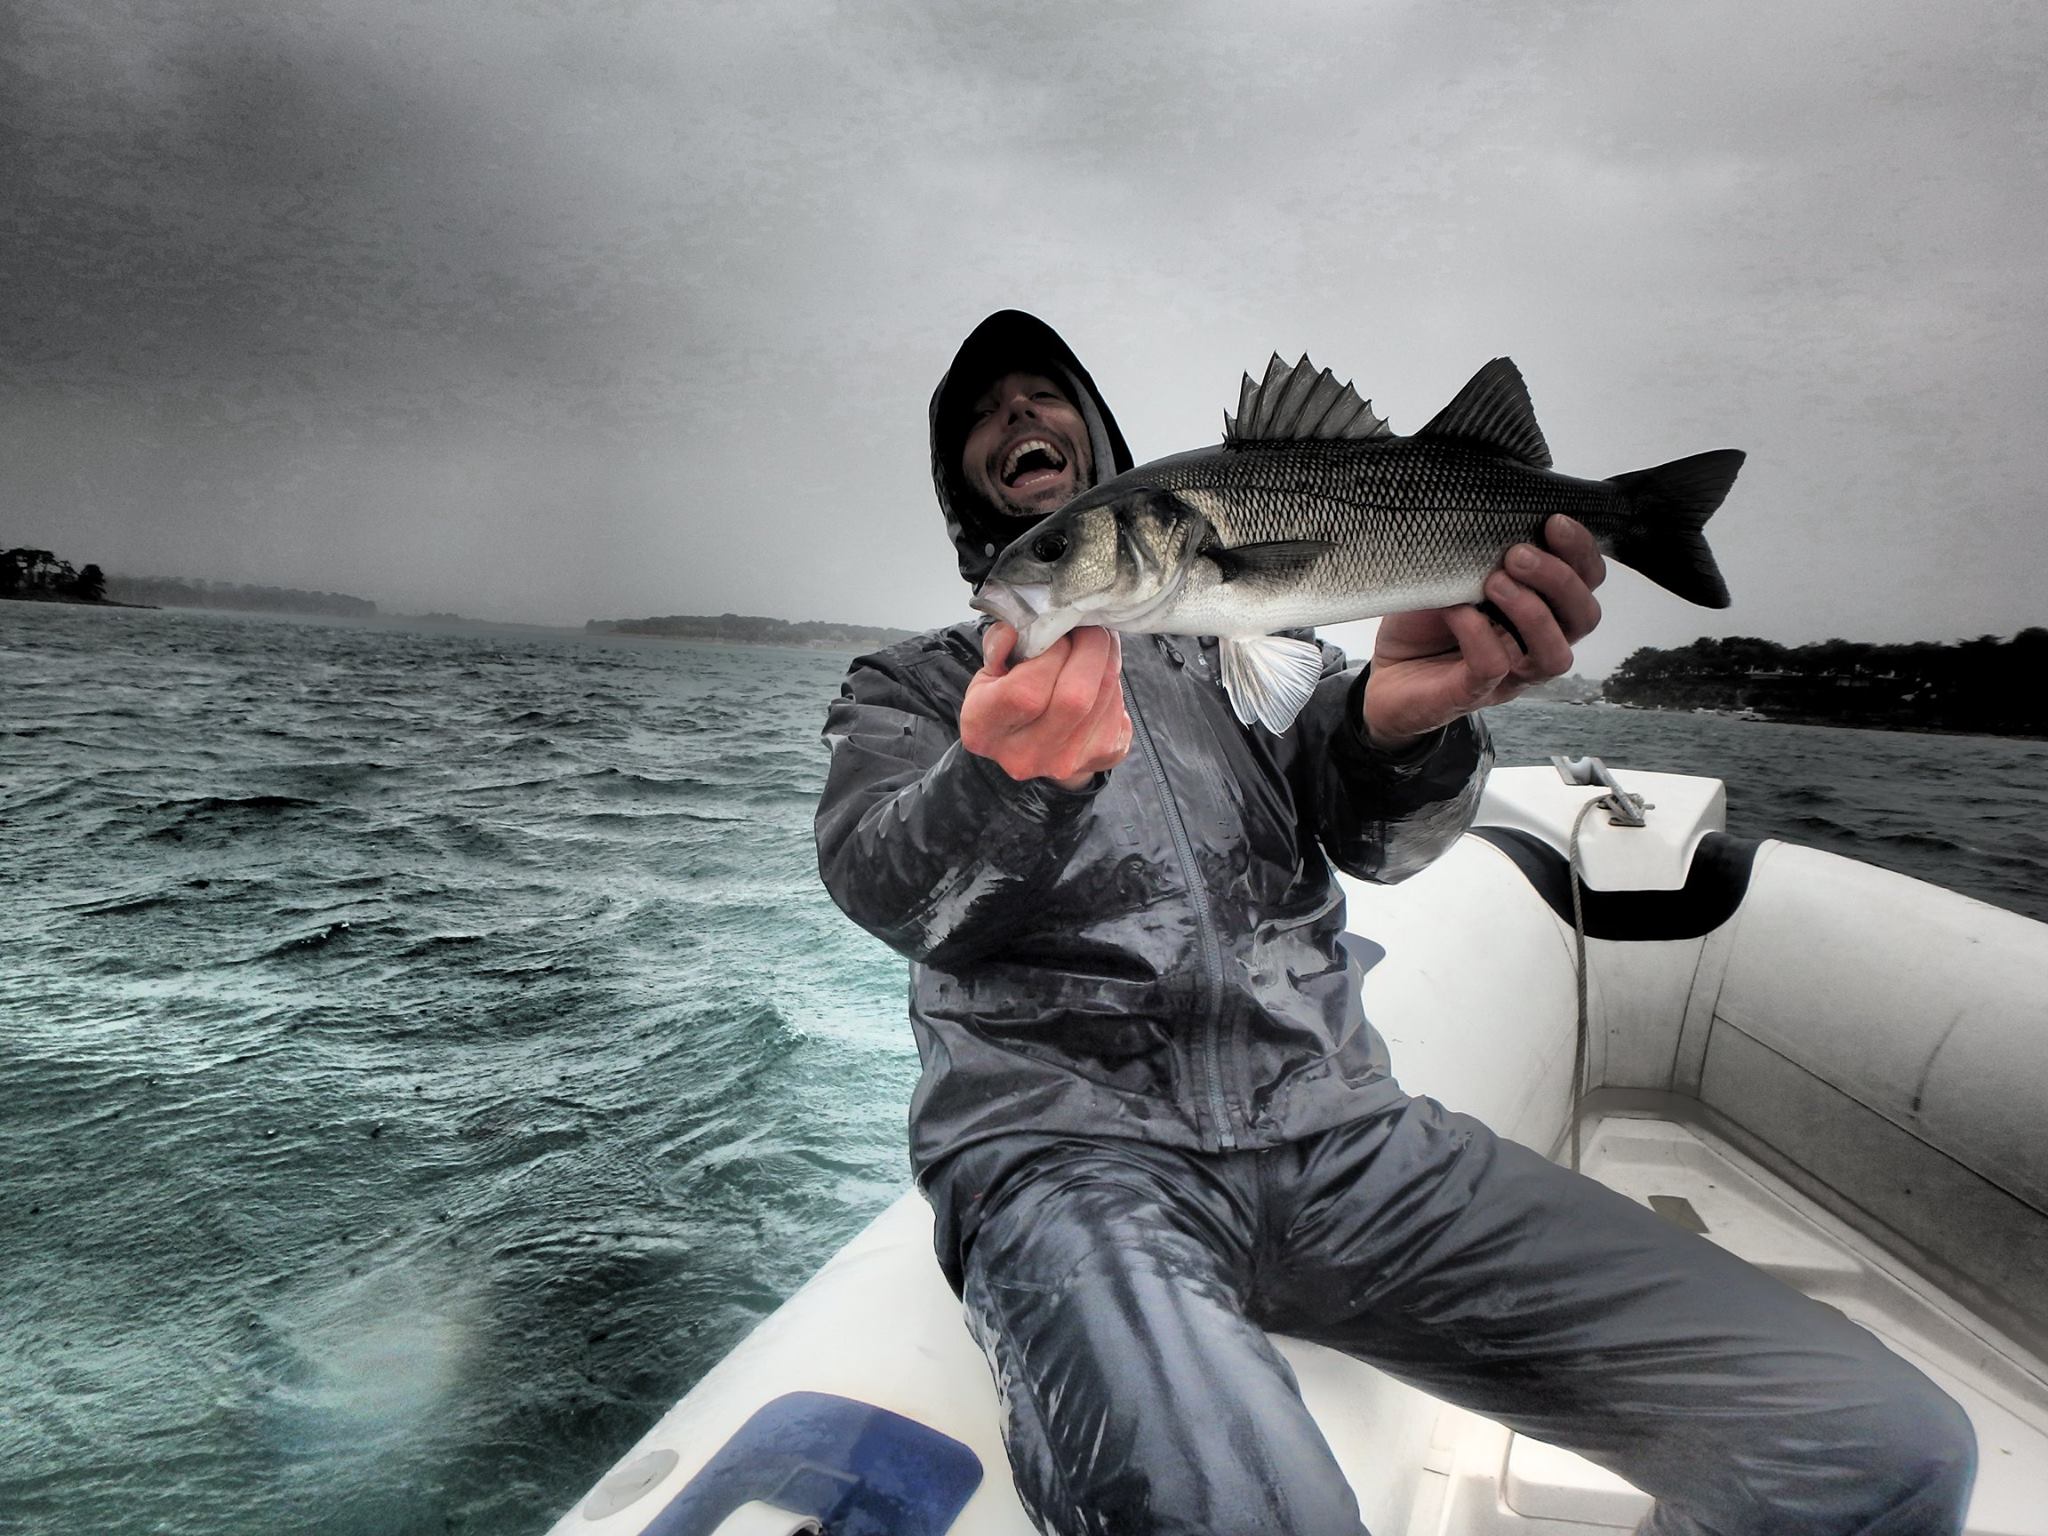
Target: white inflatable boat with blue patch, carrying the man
[1834,1070]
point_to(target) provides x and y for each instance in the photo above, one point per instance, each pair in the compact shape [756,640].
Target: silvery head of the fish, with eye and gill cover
[1111,558]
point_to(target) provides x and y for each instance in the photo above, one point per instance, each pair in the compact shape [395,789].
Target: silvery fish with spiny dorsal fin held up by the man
[1314,511]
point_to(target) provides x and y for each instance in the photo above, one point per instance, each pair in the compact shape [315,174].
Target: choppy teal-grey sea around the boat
[425,1052]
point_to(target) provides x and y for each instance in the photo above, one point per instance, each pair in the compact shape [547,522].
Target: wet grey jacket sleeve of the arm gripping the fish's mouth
[935,851]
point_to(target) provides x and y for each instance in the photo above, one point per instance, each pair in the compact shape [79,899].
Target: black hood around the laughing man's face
[1007,343]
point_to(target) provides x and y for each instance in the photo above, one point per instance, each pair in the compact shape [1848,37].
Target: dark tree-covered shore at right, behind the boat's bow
[1983,685]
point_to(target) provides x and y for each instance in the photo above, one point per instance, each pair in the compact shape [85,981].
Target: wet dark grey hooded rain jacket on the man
[1156,955]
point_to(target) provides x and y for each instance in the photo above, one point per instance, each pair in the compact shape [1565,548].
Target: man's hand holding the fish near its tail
[1428,669]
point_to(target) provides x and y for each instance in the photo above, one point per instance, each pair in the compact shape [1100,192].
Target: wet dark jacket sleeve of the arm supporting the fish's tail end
[1381,816]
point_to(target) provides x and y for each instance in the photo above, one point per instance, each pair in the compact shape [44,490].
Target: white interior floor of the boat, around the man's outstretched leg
[1486,1482]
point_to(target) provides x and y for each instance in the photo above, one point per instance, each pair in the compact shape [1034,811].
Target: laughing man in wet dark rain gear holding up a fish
[1156,1125]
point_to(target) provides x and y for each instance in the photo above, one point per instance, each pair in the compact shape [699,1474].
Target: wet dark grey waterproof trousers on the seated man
[1123,1293]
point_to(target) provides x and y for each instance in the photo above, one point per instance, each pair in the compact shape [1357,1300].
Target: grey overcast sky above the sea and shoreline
[566,310]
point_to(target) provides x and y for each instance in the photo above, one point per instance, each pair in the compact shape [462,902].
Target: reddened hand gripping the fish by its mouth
[1060,716]
